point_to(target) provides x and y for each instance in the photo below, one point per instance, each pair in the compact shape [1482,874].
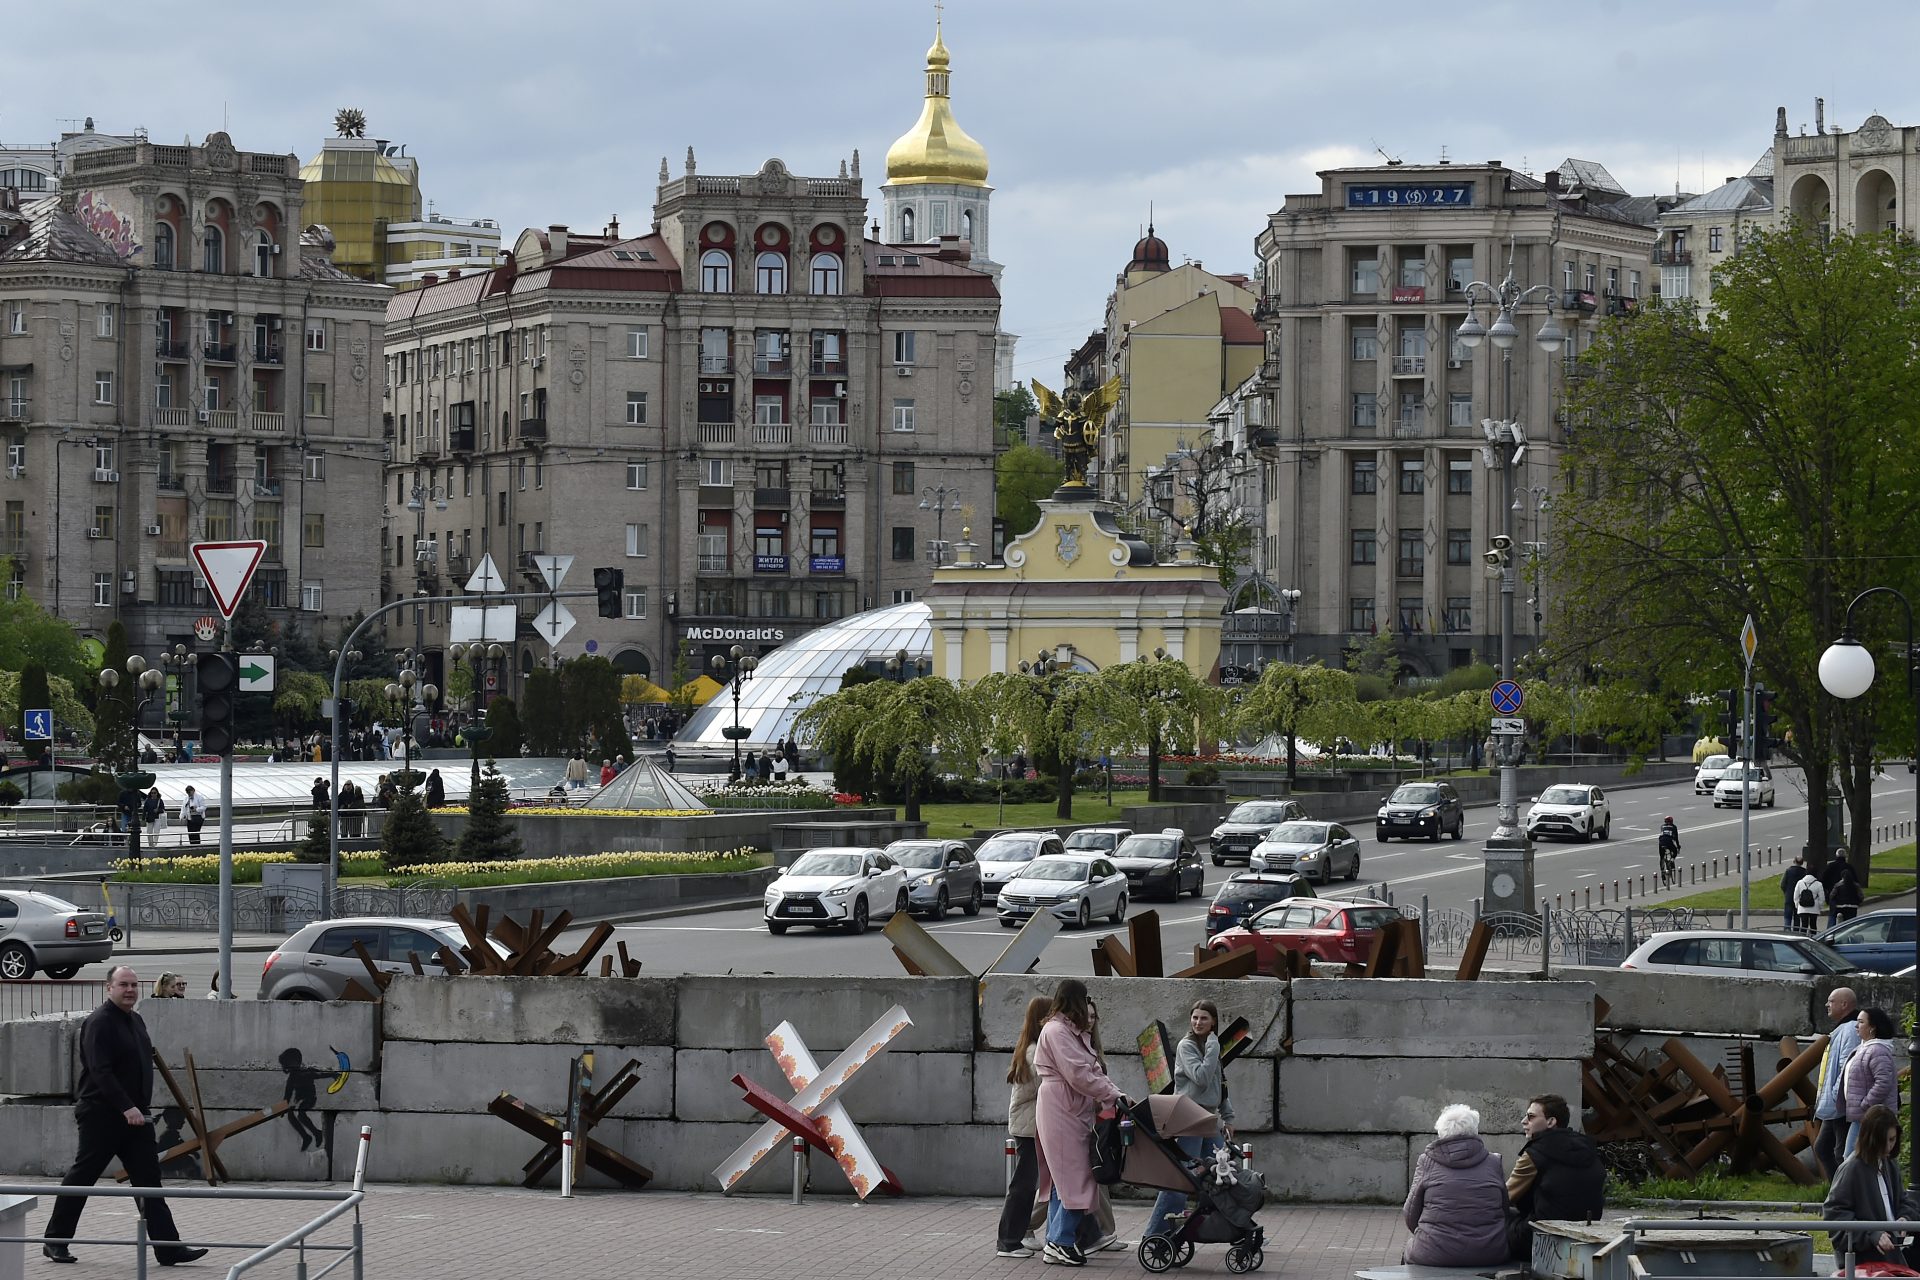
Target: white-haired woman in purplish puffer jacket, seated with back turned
[1458,1204]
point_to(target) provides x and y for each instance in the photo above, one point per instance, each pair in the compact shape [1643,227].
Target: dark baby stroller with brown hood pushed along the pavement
[1224,1212]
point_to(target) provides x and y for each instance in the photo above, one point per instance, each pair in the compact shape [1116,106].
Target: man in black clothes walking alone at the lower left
[110,1110]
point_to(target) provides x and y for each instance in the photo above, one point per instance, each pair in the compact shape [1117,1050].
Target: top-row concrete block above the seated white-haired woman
[1426,1018]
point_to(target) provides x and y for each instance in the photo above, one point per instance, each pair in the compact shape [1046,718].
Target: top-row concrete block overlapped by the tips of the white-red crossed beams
[738,1012]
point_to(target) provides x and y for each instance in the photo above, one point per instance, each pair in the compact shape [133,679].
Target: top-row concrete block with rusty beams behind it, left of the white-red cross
[516,1010]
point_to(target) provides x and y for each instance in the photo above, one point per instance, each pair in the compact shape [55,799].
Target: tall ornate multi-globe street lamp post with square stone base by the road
[1510,853]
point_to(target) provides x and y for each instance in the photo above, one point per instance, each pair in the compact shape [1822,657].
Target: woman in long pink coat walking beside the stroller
[1072,1091]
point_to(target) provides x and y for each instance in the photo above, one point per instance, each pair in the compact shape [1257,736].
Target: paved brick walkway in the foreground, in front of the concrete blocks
[460,1233]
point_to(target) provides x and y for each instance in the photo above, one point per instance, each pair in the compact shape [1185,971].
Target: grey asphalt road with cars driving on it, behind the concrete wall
[1447,874]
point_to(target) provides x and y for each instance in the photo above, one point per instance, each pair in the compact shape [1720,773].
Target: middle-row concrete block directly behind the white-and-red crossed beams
[901,1089]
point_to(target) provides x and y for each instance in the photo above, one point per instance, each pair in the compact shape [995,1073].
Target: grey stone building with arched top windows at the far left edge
[180,364]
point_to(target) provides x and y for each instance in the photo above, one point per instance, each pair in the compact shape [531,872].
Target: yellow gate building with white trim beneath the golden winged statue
[1080,588]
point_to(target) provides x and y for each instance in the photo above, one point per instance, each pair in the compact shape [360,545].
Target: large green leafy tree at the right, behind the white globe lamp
[1758,462]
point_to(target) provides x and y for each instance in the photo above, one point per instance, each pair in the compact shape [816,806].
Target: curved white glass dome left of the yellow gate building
[790,678]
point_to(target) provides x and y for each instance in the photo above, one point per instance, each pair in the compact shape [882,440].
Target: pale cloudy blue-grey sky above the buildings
[1212,110]
